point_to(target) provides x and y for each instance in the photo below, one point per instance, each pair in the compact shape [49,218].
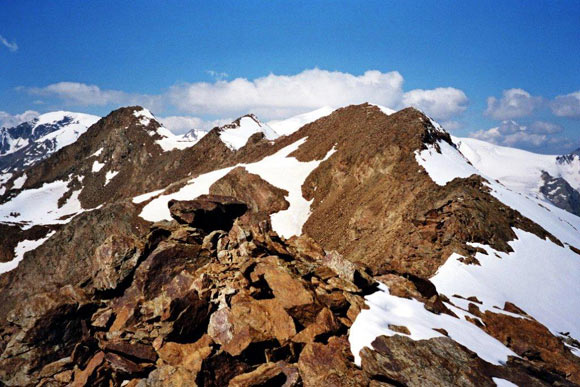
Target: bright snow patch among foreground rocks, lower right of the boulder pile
[385,309]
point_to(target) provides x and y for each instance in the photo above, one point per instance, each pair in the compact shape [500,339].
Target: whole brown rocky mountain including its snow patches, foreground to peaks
[364,247]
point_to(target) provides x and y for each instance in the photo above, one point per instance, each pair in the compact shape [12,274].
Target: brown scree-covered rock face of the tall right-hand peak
[395,217]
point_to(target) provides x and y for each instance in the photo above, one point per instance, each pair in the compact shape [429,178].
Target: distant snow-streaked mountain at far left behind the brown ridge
[30,142]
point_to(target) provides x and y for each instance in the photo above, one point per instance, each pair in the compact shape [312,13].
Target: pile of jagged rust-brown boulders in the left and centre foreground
[198,306]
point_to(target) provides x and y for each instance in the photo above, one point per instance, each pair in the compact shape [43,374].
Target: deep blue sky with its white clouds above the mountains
[183,60]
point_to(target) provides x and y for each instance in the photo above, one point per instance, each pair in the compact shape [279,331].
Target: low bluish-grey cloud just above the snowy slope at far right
[511,133]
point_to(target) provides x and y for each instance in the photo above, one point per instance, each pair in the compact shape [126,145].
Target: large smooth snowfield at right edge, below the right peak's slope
[546,287]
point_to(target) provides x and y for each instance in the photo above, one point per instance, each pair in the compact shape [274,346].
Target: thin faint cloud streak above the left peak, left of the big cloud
[81,94]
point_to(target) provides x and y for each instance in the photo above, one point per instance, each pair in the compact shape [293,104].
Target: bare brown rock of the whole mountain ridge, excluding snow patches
[216,296]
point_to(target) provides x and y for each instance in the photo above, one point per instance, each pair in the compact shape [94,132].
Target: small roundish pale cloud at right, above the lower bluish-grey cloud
[513,103]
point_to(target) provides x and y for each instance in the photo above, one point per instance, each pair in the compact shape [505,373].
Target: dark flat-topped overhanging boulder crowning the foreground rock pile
[208,212]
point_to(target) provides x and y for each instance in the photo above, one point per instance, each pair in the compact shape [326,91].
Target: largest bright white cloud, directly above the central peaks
[277,96]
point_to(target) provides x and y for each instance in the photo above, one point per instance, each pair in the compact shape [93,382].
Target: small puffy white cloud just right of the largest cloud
[441,103]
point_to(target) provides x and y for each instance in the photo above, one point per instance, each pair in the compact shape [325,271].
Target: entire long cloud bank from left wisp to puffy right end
[272,96]
